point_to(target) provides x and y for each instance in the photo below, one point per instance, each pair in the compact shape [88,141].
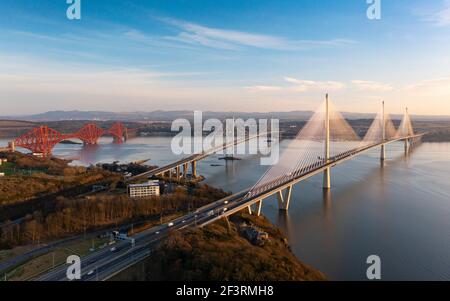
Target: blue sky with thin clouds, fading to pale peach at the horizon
[224,55]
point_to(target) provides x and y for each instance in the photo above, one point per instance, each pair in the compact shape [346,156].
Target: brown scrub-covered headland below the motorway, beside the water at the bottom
[218,253]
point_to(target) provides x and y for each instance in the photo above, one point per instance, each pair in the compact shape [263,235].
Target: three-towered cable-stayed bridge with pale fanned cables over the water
[324,142]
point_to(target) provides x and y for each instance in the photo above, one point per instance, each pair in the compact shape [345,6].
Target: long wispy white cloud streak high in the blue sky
[231,39]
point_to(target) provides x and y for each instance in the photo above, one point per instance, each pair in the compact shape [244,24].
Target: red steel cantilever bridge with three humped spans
[43,138]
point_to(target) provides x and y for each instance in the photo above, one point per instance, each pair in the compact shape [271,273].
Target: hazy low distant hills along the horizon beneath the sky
[171,115]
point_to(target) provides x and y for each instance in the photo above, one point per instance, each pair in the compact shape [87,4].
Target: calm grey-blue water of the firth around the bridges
[400,212]
